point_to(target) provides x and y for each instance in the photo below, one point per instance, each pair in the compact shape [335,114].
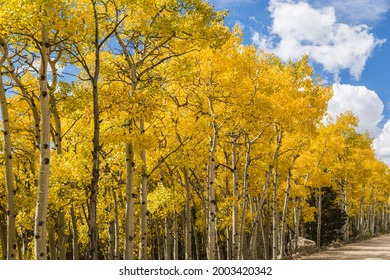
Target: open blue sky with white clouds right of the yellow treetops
[348,42]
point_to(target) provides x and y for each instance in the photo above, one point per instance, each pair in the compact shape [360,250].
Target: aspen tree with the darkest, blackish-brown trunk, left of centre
[98,38]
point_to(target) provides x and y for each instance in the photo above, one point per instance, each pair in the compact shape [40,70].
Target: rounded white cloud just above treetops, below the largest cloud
[364,103]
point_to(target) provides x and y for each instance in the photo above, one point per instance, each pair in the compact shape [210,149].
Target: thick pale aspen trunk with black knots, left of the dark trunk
[43,181]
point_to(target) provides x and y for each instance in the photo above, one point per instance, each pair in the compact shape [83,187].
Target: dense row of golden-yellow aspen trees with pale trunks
[172,139]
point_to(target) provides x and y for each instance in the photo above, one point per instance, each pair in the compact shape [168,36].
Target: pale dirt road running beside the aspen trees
[376,248]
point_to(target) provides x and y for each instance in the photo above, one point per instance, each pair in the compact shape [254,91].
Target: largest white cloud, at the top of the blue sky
[298,28]
